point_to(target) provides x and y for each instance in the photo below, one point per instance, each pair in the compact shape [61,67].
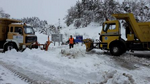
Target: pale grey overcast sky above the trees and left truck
[50,10]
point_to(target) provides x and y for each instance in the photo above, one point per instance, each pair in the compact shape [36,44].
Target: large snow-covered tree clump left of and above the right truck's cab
[87,11]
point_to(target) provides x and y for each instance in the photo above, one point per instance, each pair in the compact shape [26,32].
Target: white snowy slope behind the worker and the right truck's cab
[92,31]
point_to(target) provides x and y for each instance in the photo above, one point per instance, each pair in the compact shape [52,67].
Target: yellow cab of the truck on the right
[109,33]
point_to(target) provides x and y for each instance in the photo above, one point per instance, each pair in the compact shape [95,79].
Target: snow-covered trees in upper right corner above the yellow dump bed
[140,9]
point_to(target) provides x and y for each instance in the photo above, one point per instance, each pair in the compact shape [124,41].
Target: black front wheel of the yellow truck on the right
[116,50]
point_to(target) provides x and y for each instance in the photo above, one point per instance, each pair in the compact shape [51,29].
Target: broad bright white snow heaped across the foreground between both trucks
[54,65]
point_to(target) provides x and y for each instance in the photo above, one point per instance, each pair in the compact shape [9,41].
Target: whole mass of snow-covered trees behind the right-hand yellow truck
[87,11]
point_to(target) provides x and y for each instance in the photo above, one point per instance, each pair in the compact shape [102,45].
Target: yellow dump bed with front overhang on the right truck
[141,30]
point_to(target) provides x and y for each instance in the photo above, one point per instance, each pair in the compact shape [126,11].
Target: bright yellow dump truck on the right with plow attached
[137,36]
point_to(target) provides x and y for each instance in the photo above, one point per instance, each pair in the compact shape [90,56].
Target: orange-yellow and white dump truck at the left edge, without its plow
[14,35]
